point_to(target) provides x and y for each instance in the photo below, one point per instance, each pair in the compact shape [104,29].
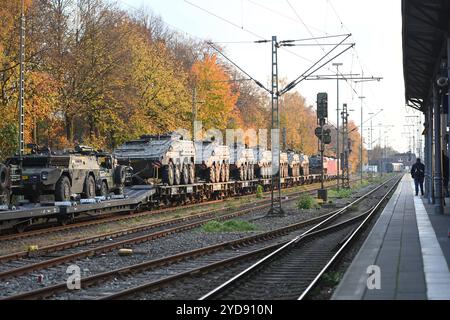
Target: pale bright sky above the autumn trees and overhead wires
[376,28]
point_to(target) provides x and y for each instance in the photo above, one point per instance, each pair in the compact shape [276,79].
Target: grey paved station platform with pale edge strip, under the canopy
[411,247]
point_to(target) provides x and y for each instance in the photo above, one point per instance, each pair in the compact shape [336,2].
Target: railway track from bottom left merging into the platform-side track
[209,258]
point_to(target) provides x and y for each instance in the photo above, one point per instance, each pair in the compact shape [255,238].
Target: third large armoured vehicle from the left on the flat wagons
[242,163]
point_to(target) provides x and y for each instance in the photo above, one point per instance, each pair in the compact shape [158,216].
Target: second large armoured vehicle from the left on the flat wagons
[212,161]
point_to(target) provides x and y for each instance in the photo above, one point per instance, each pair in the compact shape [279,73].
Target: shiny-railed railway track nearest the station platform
[292,271]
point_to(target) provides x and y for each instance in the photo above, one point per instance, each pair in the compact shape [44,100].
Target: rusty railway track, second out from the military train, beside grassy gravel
[23,262]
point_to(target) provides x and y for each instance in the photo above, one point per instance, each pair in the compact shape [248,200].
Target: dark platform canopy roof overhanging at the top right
[425,29]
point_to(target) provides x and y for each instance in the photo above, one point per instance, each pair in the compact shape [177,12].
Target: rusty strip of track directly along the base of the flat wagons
[98,220]
